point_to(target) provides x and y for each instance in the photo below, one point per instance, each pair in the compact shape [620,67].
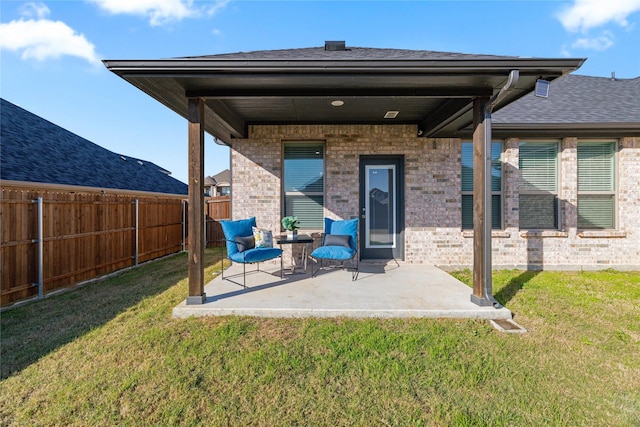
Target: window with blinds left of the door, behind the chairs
[304,183]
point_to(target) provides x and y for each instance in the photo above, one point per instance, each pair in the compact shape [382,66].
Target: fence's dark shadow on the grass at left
[33,330]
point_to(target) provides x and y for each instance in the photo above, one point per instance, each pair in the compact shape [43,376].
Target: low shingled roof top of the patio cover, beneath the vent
[351,53]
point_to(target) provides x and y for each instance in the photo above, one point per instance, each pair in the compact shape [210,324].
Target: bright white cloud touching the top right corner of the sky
[586,14]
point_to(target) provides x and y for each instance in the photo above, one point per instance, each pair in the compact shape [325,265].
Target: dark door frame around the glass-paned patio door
[385,253]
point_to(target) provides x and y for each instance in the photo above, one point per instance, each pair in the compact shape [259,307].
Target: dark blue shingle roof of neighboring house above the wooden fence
[36,150]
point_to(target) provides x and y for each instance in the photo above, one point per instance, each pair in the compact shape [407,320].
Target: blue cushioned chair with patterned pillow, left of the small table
[240,247]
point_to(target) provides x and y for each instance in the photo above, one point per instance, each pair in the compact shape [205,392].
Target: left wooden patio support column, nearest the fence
[196,201]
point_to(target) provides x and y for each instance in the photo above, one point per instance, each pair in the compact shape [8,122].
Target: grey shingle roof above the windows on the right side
[578,100]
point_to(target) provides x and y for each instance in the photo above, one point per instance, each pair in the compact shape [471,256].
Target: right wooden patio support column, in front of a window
[481,203]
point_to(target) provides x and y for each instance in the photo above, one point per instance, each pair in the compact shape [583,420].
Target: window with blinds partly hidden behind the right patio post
[467,185]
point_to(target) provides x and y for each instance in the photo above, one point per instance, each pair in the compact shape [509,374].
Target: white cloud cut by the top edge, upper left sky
[159,12]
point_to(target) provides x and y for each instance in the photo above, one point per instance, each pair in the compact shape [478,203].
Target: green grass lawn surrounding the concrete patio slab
[111,354]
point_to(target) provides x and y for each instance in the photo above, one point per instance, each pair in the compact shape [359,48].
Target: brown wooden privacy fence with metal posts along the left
[52,239]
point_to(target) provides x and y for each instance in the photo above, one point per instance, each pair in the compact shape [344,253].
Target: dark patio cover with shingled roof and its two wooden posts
[441,93]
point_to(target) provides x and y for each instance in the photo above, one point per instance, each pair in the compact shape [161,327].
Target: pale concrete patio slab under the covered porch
[381,290]
